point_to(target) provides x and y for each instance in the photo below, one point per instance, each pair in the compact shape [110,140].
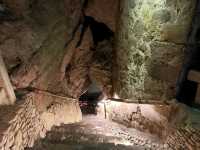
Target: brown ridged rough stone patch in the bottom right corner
[186,134]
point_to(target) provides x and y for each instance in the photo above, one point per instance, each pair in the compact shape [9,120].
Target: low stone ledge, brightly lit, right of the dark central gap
[157,119]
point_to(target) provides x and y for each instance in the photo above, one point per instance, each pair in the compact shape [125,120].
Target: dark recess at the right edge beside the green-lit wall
[188,82]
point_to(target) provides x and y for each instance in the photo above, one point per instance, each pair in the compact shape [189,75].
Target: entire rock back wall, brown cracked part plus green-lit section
[58,46]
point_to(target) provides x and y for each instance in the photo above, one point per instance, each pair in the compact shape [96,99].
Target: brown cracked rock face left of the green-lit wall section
[48,46]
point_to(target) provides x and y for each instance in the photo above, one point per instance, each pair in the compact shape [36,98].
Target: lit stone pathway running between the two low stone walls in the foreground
[94,133]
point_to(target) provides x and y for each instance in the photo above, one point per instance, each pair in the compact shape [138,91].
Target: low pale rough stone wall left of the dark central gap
[25,122]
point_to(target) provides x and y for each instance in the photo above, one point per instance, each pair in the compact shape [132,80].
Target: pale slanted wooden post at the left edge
[7,93]
